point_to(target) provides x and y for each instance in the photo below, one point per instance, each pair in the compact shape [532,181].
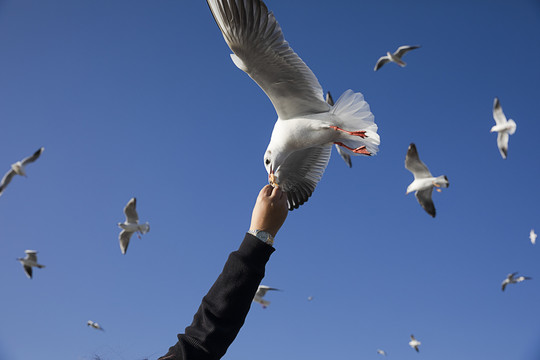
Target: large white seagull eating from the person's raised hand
[307,126]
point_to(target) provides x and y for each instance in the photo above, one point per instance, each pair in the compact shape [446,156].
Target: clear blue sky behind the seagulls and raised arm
[140,98]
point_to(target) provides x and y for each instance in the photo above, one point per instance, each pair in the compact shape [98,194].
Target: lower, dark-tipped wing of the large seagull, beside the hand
[303,170]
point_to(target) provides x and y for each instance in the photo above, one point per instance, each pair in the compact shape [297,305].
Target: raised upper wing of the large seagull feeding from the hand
[260,50]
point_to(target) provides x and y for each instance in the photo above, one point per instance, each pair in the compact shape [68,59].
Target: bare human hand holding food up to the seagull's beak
[270,210]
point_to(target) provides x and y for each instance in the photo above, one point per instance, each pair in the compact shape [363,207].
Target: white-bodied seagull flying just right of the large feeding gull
[423,180]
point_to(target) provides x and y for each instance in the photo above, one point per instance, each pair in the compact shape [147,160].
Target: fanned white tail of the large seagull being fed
[354,115]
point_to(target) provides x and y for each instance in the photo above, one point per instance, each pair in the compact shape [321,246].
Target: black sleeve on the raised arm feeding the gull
[225,307]
